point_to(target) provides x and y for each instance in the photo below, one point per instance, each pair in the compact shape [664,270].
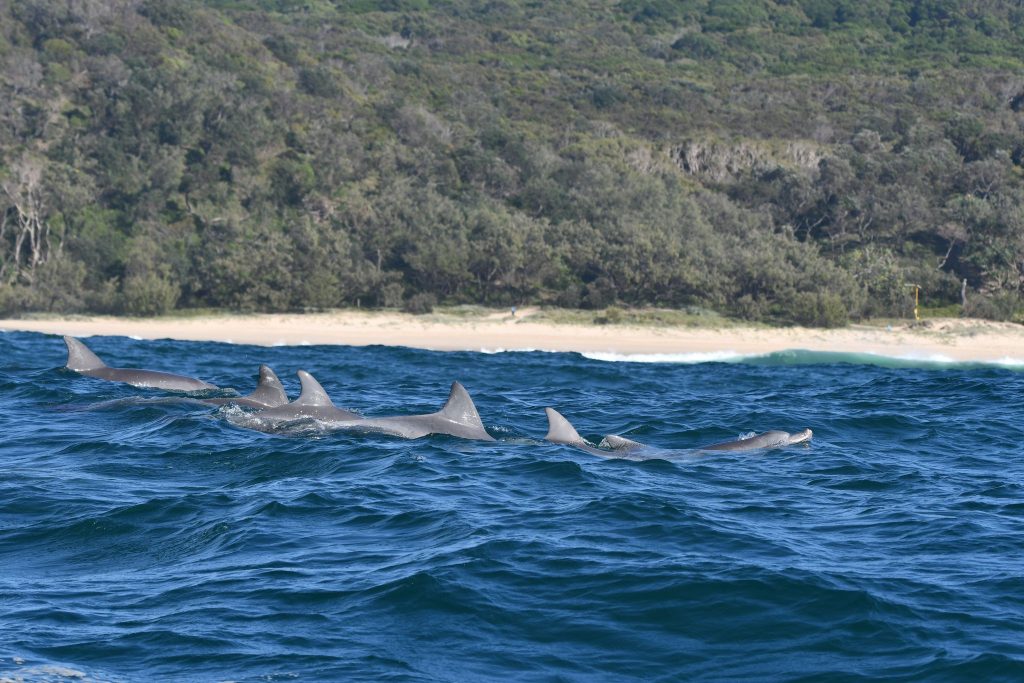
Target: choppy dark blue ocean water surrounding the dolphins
[147,539]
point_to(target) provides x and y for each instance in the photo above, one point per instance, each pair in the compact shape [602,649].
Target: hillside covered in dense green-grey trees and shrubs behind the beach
[789,160]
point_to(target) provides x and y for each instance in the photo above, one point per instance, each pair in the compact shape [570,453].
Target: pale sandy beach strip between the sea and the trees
[955,339]
